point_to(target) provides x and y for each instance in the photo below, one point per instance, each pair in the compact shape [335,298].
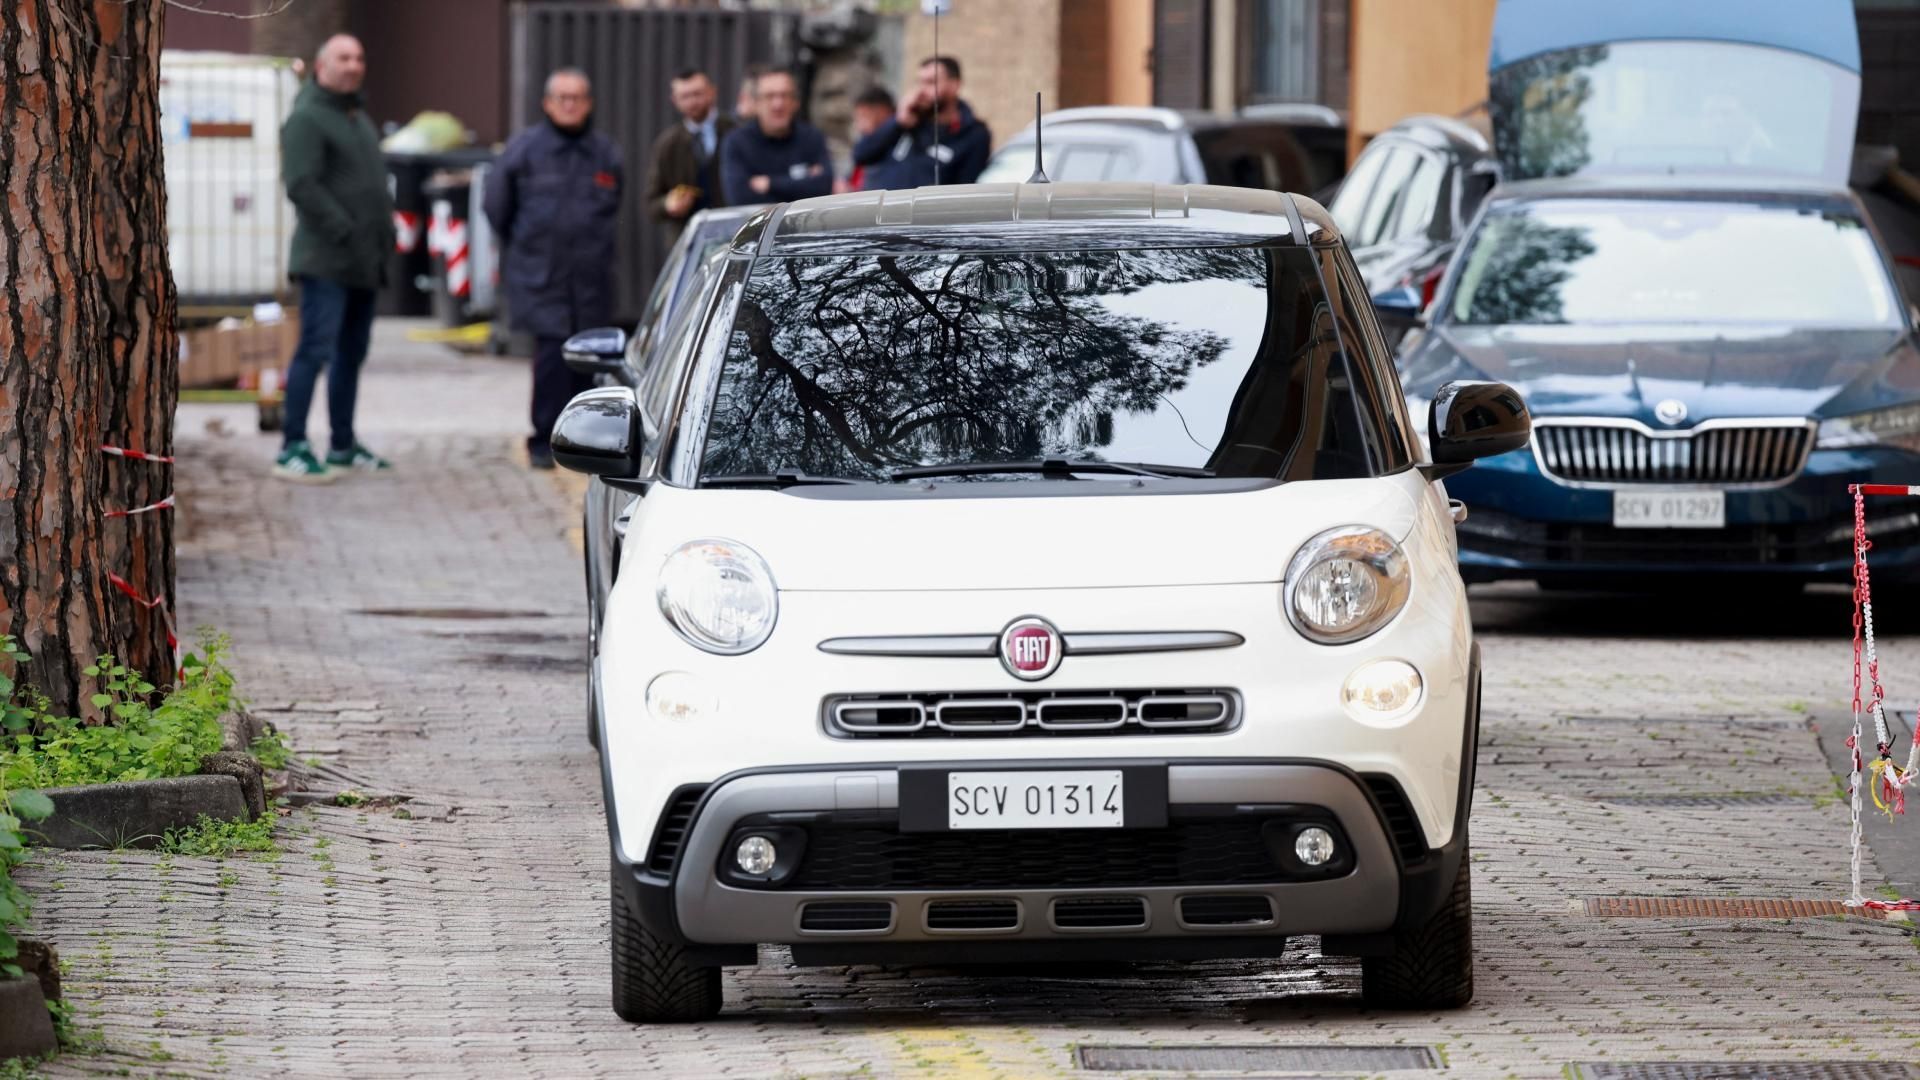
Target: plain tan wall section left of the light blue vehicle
[1416,57]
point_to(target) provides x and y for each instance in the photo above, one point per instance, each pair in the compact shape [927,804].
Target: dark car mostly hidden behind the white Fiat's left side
[619,358]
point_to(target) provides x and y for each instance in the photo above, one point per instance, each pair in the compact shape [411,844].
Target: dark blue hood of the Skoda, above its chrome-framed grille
[1717,372]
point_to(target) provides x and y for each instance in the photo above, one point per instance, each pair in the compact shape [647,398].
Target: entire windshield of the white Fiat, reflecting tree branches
[1042,366]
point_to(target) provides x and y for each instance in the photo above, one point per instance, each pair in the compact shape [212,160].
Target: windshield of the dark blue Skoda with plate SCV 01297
[1673,262]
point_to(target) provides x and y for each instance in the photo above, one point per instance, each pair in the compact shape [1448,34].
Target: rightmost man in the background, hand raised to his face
[905,155]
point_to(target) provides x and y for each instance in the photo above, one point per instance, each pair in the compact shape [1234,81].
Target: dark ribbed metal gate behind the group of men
[631,55]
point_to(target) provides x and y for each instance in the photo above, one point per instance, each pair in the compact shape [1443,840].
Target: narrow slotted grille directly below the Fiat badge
[1032,714]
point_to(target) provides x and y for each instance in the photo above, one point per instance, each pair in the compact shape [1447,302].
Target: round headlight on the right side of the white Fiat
[1347,583]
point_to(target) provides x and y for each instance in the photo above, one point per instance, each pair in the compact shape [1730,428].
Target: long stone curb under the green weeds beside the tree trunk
[135,814]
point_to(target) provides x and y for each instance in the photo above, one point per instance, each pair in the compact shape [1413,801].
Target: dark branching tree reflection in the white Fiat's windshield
[853,366]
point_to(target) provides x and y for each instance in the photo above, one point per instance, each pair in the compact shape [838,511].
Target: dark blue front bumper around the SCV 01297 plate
[1527,526]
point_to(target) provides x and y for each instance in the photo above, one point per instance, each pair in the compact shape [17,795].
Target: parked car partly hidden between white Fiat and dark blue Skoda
[1406,205]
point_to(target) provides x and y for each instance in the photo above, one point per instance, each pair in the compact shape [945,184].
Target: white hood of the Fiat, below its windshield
[855,539]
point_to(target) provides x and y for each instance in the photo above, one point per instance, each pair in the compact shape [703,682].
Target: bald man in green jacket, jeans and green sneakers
[345,230]
